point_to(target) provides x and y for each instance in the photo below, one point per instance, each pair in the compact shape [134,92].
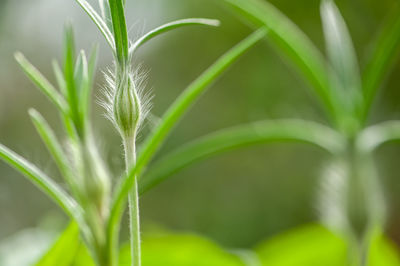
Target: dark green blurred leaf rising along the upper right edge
[383,58]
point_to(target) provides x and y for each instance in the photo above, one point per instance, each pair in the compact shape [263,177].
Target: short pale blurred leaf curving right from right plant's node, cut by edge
[374,136]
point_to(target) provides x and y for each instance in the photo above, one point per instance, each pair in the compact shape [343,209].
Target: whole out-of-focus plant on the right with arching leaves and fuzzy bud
[351,198]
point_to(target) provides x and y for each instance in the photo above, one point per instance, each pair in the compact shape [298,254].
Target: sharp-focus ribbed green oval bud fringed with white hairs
[126,107]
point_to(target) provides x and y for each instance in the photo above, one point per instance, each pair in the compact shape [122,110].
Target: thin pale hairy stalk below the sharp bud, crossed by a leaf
[133,200]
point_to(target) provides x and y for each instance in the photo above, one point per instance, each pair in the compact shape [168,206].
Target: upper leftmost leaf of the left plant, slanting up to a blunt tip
[41,82]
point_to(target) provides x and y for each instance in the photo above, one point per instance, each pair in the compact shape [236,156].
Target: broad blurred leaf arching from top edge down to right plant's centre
[293,42]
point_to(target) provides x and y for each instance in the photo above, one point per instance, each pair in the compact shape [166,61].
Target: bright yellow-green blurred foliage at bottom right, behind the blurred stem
[314,245]
